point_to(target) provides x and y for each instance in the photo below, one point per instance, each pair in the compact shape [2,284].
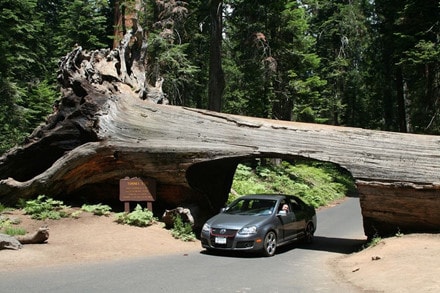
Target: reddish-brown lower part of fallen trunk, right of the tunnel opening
[399,207]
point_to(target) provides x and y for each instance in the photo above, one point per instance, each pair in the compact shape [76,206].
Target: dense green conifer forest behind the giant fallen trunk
[371,64]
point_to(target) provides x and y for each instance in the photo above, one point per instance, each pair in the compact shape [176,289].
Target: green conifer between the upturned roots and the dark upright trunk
[168,54]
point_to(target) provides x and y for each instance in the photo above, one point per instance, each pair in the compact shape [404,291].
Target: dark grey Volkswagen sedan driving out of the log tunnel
[260,223]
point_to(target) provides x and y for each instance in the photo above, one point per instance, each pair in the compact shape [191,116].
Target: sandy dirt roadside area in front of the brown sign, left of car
[90,239]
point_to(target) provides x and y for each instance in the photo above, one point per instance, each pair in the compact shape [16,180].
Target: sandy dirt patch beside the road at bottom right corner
[410,263]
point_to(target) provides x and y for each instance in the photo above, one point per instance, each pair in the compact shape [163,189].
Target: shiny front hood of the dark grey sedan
[235,221]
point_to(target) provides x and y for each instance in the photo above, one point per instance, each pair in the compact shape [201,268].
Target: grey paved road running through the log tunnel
[296,268]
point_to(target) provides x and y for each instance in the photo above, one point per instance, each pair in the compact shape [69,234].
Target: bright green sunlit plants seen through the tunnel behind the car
[318,183]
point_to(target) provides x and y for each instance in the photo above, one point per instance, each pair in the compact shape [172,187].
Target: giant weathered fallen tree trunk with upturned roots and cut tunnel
[108,126]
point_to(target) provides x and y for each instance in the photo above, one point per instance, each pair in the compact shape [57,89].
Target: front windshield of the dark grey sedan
[251,206]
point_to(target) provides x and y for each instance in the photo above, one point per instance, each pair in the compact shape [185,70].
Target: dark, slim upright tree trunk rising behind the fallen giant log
[216,75]
